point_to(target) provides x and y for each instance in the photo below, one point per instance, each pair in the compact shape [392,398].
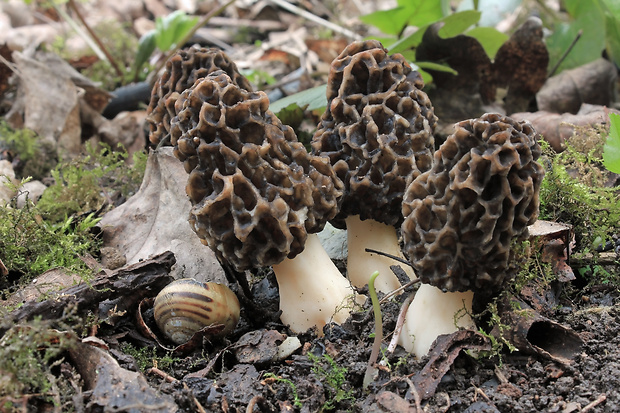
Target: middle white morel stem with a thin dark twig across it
[361,264]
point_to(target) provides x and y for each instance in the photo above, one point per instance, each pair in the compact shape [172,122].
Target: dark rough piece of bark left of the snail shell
[117,291]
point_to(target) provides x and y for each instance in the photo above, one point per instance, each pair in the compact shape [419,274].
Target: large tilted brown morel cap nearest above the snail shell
[255,190]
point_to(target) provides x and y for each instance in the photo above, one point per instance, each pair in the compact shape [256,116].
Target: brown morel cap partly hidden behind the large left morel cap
[182,70]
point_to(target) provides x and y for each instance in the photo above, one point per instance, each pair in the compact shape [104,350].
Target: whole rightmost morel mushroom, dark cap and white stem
[461,219]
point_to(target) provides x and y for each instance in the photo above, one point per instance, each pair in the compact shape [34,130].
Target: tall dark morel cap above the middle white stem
[377,130]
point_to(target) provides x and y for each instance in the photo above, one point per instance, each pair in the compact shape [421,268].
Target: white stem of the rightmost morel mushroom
[433,313]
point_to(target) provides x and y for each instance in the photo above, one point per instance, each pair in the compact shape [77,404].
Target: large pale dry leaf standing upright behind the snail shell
[155,220]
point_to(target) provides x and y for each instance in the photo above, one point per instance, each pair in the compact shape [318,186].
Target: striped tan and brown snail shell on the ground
[186,306]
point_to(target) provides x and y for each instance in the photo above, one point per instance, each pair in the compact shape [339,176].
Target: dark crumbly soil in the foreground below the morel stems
[326,373]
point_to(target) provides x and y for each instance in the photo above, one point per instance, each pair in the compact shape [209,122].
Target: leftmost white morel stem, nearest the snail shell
[313,292]
